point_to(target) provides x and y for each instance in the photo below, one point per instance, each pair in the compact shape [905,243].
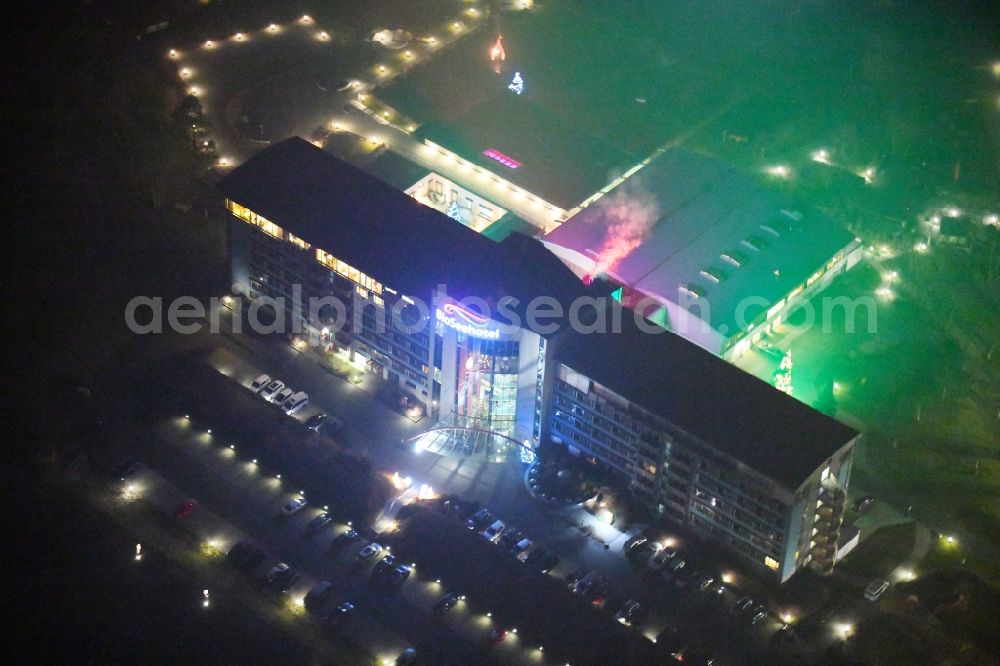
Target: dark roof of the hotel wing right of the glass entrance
[710,399]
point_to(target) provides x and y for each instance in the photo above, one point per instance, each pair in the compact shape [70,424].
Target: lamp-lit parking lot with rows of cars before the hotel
[226,479]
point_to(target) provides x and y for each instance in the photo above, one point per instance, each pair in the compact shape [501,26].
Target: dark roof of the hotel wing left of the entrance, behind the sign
[388,235]
